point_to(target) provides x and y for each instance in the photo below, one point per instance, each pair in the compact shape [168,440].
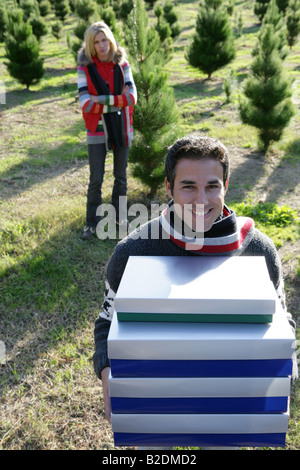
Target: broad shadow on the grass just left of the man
[57,289]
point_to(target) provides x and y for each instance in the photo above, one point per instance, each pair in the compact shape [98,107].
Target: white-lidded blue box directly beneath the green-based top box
[163,349]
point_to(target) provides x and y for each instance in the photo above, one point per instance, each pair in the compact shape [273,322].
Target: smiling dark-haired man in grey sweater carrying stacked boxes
[197,175]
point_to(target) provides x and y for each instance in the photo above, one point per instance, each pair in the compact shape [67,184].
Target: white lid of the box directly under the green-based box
[201,341]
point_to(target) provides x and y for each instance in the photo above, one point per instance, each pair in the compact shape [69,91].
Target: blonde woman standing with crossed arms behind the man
[107,94]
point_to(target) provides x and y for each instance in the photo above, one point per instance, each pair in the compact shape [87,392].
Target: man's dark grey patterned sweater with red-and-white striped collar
[229,236]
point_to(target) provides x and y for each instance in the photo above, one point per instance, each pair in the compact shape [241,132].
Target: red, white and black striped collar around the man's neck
[226,237]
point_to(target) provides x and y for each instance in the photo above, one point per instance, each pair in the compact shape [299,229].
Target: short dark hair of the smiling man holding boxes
[195,147]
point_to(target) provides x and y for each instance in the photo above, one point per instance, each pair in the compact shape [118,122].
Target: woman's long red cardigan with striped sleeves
[93,111]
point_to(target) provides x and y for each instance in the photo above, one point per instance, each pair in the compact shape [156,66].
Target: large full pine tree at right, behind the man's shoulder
[267,104]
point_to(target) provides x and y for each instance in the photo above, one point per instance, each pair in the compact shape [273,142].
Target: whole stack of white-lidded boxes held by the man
[201,354]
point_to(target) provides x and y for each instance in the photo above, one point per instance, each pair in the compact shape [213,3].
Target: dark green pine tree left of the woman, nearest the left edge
[22,51]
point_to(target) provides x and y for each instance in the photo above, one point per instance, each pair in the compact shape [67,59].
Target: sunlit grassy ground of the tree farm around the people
[52,283]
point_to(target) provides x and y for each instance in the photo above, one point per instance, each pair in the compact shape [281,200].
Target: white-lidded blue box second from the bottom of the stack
[199,395]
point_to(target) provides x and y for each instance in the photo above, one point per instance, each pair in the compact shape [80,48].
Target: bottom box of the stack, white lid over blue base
[200,429]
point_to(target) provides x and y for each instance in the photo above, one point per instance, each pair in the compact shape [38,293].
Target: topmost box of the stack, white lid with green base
[196,289]
